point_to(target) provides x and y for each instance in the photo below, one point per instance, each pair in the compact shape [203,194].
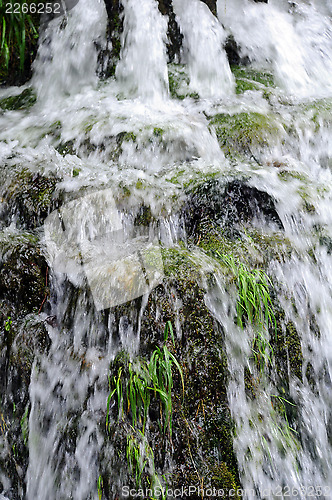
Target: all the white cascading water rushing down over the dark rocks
[142,140]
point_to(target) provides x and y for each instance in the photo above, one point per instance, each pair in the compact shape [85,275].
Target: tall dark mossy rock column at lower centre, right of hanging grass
[201,354]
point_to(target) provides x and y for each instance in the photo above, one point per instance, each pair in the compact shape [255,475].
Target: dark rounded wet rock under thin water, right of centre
[229,206]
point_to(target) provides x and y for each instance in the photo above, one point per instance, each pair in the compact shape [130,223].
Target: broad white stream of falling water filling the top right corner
[294,44]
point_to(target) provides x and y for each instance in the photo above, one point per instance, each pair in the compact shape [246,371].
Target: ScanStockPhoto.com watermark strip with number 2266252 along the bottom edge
[219,493]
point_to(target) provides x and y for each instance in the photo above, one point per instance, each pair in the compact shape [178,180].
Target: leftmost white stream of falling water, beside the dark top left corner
[62,67]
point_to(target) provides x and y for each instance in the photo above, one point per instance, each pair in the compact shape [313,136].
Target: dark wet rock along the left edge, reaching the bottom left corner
[19,345]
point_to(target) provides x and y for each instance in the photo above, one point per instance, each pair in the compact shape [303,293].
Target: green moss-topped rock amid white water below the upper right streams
[245,133]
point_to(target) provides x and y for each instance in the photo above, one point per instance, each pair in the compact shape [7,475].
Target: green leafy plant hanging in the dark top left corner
[16,28]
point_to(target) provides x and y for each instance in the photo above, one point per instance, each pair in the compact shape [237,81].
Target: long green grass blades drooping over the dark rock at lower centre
[136,385]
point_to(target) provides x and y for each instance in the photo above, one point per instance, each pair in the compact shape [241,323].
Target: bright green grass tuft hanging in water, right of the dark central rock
[254,305]
